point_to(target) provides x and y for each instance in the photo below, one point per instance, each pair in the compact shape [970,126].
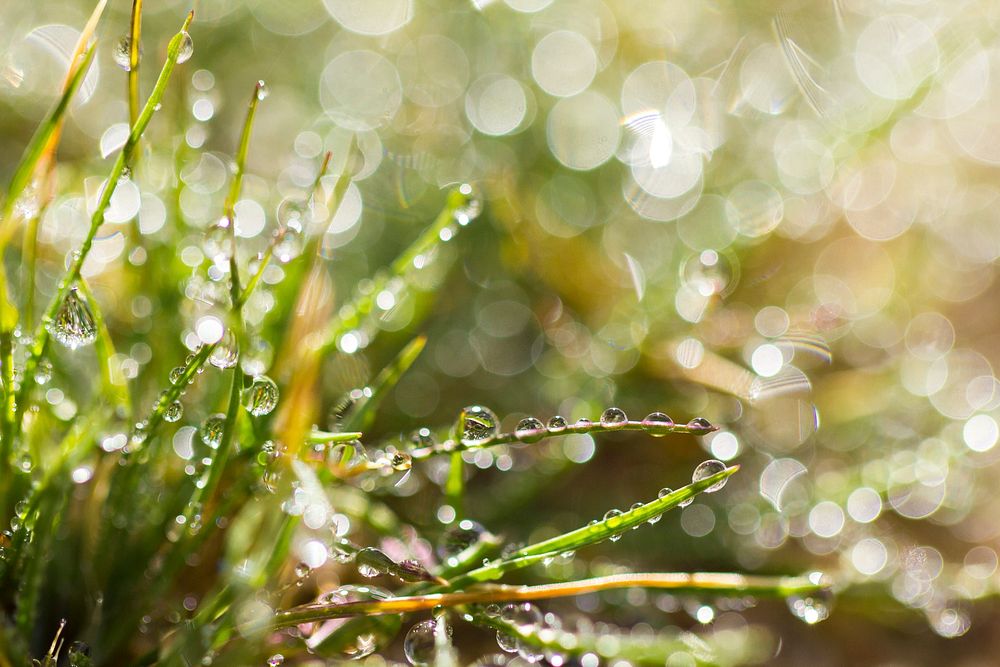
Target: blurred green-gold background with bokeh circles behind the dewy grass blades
[783,217]
